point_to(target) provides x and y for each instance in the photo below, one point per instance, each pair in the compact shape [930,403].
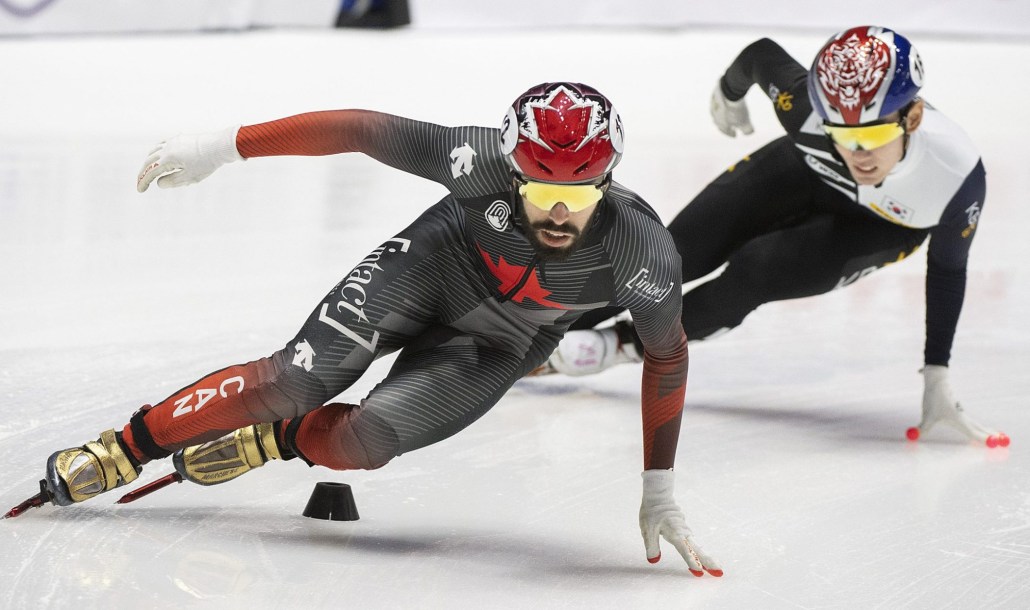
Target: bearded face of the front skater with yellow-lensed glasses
[558,217]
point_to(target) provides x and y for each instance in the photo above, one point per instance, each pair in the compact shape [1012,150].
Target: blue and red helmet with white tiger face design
[865,75]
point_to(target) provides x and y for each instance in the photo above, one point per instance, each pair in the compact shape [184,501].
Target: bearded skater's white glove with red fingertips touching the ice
[661,515]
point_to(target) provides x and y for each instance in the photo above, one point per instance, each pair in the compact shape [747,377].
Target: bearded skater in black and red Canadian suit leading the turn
[474,294]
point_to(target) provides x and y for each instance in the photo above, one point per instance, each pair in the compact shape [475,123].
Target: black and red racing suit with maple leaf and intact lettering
[460,293]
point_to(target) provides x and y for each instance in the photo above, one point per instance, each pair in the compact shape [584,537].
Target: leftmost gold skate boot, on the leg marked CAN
[79,475]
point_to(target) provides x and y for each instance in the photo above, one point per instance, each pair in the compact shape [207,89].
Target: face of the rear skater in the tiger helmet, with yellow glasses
[872,152]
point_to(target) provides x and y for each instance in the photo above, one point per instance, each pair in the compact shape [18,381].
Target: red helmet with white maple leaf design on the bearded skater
[563,132]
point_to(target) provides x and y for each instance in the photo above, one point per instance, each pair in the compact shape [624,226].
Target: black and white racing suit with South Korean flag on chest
[792,222]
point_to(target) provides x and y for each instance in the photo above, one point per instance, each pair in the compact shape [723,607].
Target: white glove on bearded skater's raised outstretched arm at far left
[188,159]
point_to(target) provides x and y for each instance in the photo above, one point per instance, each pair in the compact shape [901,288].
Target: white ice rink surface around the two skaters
[794,469]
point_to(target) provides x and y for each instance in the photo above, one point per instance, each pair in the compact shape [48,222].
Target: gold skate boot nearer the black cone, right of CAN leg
[225,459]
